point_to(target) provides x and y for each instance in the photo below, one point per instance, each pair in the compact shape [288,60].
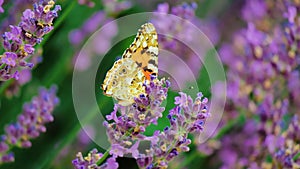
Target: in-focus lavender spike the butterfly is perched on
[128,128]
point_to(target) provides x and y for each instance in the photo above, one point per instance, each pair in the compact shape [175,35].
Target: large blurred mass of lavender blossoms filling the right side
[263,85]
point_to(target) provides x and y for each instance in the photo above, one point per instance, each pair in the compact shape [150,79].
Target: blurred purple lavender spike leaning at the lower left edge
[29,124]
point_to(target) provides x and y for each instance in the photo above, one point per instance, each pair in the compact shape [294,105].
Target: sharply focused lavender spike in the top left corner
[20,41]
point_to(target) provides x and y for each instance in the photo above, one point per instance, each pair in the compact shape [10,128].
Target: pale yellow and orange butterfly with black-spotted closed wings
[138,64]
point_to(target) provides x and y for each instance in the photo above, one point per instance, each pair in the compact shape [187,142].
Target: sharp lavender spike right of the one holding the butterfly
[187,117]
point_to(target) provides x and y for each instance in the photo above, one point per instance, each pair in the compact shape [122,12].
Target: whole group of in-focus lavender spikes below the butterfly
[126,132]
